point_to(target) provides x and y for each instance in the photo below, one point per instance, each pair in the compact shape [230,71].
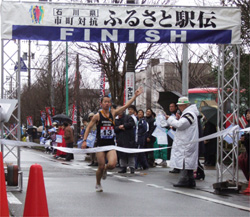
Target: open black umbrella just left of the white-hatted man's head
[166,98]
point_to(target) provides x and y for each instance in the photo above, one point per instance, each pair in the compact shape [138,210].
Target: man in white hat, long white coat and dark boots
[184,155]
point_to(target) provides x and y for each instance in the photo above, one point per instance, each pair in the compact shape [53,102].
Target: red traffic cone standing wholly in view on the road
[36,201]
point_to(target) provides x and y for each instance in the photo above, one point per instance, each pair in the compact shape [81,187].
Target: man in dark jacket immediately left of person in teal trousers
[150,139]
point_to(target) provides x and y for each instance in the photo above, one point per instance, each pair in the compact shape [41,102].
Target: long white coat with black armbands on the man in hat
[186,131]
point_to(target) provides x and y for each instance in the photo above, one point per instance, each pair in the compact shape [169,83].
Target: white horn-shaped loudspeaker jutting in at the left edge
[7,107]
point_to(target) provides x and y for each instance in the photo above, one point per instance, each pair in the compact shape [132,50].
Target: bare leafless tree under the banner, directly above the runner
[111,58]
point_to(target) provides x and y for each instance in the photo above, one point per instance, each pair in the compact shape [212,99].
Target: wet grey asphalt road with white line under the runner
[70,191]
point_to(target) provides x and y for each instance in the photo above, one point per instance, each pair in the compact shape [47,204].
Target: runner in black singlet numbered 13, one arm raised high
[104,121]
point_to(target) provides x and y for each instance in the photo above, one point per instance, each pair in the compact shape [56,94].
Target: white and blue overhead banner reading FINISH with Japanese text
[120,23]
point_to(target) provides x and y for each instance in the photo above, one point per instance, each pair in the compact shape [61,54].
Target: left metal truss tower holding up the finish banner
[11,89]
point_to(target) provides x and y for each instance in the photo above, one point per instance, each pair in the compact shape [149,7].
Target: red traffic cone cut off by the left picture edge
[4,207]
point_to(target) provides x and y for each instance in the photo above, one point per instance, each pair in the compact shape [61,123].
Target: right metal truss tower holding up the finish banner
[228,90]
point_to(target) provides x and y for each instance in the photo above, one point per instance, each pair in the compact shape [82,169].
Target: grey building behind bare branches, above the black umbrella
[161,77]
